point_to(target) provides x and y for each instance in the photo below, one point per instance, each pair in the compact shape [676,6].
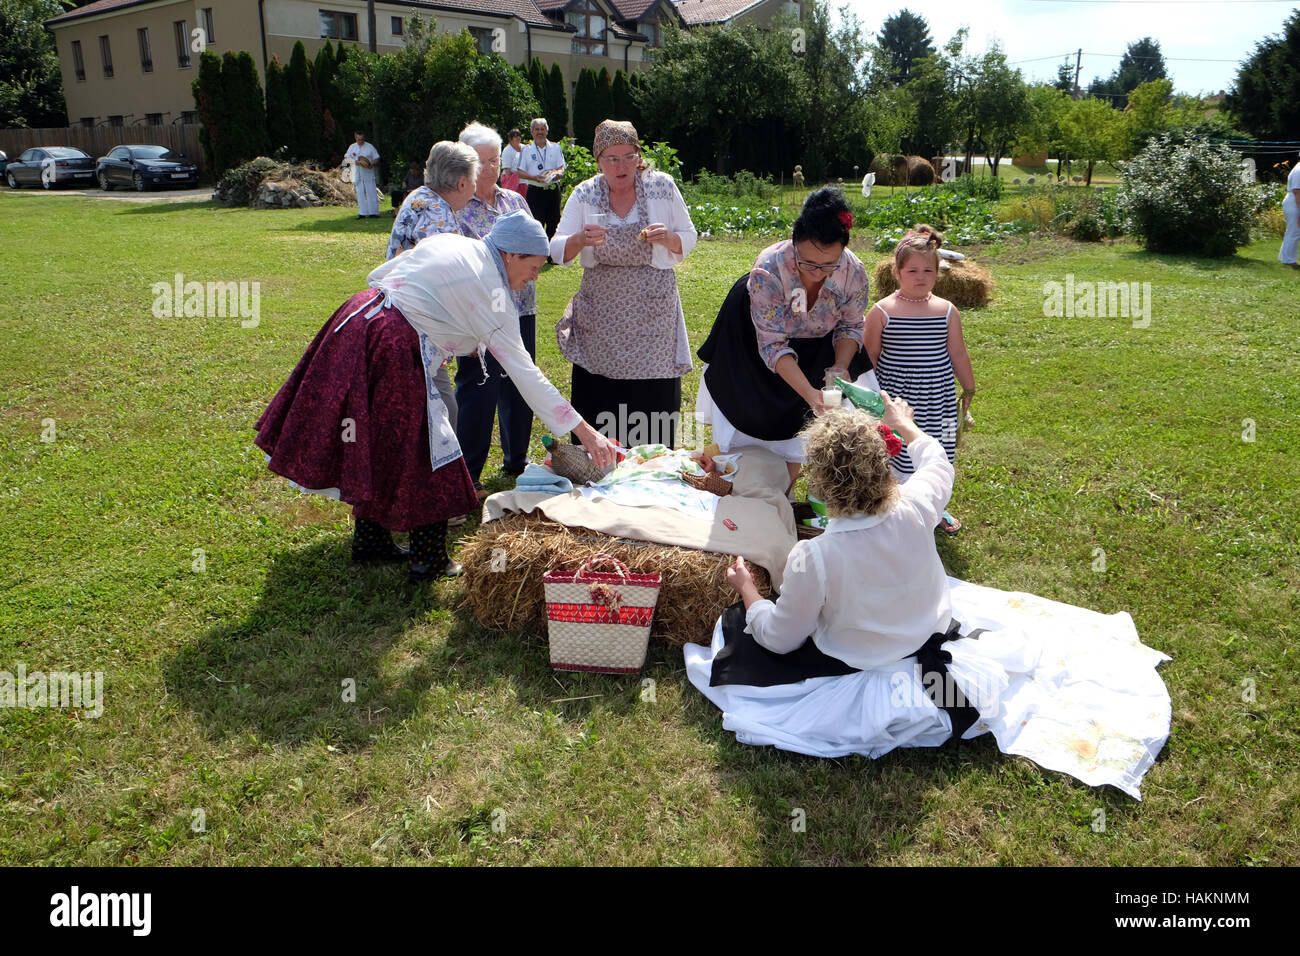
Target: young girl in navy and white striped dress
[915,340]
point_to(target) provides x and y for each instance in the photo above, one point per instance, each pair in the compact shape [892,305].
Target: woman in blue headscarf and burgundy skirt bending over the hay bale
[361,421]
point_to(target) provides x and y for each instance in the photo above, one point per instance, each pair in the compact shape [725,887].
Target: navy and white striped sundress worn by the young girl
[915,366]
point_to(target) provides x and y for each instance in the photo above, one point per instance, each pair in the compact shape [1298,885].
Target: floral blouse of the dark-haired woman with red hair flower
[781,310]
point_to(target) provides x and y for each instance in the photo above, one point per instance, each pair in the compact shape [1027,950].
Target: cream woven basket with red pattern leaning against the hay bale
[600,621]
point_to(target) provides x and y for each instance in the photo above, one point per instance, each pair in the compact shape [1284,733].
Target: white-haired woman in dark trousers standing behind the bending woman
[482,399]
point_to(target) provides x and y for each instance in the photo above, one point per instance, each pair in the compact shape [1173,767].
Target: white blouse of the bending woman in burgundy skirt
[449,288]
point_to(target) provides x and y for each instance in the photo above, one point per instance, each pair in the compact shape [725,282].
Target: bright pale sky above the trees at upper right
[1203,41]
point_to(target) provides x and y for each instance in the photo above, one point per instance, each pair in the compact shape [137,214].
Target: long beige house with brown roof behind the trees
[132,63]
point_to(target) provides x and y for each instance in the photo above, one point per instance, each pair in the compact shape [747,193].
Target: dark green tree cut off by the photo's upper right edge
[1266,100]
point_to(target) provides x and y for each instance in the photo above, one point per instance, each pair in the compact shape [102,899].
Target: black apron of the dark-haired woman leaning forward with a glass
[755,399]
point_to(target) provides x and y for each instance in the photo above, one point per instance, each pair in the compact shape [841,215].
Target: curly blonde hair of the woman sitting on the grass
[848,464]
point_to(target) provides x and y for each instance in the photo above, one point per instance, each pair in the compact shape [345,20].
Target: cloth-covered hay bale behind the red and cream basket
[509,596]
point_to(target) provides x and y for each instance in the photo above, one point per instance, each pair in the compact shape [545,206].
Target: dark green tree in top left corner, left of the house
[32,86]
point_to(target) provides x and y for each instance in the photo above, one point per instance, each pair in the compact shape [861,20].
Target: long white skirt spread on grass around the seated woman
[1069,689]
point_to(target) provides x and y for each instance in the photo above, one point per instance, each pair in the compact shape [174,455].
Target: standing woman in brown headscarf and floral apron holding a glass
[625,330]
